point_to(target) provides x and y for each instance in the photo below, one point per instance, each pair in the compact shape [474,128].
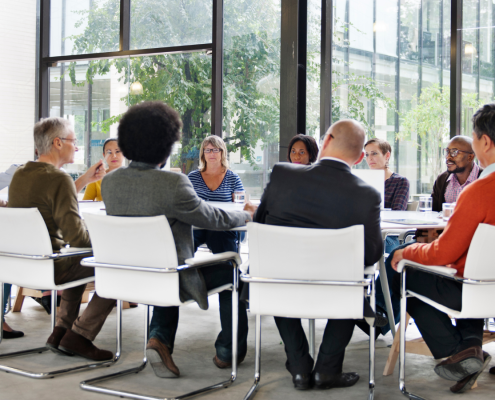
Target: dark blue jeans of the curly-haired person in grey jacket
[166,319]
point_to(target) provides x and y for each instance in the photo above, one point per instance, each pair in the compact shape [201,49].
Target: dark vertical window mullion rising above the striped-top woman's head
[217,70]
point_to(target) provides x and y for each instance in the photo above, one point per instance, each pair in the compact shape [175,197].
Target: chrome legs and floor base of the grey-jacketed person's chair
[89,385]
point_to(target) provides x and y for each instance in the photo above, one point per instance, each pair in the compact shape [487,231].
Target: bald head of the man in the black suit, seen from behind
[345,140]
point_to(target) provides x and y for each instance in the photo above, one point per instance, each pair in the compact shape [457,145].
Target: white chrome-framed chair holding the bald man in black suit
[324,267]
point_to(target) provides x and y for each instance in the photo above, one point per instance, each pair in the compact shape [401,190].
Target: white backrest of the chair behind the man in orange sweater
[477,300]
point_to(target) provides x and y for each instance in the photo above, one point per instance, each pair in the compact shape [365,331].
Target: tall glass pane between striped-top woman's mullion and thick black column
[251,119]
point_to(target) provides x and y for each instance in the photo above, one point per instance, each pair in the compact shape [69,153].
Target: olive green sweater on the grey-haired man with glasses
[53,193]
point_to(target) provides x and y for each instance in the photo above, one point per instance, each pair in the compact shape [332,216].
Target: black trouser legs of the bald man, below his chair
[336,337]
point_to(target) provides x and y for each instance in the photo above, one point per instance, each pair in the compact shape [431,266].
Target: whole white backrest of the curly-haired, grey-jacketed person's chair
[140,242]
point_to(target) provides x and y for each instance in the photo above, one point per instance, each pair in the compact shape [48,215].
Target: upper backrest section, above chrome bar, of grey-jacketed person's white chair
[134,241]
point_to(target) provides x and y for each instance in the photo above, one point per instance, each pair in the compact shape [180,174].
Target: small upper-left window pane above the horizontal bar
[72,20]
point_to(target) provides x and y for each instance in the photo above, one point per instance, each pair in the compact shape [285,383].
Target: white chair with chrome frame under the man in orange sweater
[477,290]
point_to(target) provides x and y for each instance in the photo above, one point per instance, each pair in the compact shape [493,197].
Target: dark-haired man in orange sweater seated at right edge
[462,342]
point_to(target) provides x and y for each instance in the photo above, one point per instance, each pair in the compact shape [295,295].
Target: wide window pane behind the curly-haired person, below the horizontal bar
[95,95]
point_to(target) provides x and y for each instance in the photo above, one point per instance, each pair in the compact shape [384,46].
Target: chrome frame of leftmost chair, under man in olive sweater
[54,373]
